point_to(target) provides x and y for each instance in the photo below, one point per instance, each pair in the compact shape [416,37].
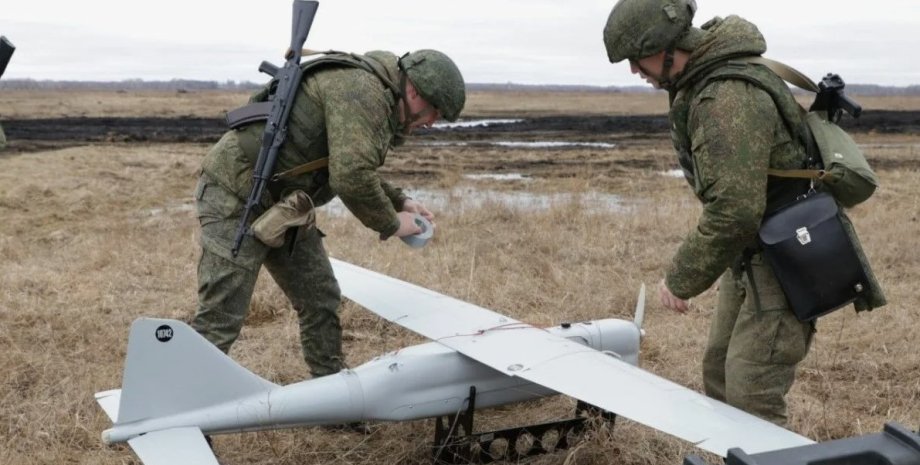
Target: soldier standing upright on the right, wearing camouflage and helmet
[729,125]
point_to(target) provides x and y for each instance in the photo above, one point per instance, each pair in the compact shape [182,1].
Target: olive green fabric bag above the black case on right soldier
[846,175]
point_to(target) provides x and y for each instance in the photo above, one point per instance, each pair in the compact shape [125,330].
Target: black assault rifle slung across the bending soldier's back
[281,99]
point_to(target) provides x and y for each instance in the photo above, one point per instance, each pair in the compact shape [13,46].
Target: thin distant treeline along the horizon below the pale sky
[186,85]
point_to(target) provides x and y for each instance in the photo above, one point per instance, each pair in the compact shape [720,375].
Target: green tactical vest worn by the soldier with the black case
[780,191]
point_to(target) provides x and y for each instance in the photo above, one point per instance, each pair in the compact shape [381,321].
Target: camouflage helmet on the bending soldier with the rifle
[437,79]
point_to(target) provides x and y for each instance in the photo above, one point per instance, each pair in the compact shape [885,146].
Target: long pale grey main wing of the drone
[518,349]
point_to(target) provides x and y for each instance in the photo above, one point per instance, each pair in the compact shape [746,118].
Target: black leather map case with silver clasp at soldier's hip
[812,256]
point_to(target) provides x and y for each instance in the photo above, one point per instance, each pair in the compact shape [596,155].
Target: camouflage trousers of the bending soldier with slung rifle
[226,283]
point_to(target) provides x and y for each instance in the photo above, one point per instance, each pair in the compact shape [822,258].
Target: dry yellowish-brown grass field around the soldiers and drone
[95,236]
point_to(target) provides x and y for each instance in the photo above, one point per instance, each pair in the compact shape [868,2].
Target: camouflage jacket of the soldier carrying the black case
[728,132]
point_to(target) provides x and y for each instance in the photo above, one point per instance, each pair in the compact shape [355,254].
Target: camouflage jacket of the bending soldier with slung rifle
[343,112]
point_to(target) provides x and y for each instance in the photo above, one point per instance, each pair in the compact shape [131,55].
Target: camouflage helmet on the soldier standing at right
[640,28]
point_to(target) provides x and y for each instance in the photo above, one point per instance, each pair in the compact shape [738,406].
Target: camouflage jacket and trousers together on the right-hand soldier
[728,133]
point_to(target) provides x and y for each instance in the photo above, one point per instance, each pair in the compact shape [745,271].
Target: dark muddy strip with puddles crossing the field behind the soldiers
[437,152]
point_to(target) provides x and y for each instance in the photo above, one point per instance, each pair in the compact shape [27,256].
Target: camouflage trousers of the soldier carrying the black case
[751,356]
